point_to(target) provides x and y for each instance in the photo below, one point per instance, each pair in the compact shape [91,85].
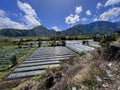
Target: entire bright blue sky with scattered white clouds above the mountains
[56,14]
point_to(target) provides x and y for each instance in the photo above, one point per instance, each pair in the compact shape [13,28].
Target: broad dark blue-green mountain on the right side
[99,27]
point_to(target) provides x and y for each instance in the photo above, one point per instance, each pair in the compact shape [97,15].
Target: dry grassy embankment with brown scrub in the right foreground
[97,70]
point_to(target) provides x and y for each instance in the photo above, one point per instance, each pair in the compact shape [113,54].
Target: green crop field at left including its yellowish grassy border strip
[10,56]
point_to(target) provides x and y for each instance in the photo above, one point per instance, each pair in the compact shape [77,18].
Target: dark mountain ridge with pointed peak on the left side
[37,31]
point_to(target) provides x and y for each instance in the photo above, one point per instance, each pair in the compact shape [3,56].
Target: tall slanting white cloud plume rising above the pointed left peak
[30,16]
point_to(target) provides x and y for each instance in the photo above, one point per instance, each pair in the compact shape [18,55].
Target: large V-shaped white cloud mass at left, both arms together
[29,20]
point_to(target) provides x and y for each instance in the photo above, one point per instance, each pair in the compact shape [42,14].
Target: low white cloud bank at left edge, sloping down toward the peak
[6,22]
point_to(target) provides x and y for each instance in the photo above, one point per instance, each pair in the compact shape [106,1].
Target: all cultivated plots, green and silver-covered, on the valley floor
[44,56]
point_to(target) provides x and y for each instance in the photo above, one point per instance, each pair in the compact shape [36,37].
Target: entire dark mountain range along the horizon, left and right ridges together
[99,27]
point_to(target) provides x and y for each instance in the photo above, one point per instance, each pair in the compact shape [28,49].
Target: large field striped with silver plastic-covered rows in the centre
[41,59]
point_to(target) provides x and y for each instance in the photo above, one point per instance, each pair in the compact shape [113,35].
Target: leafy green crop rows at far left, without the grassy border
[7,53]
